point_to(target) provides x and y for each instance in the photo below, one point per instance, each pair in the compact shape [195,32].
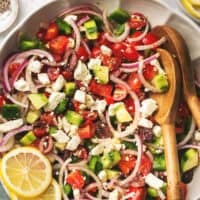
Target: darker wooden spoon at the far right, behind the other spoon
[176,45]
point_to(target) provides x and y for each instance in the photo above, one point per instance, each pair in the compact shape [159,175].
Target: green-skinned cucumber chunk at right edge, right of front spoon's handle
[189,160]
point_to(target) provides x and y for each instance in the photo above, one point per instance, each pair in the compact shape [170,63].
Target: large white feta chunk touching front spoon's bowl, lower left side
[149,106]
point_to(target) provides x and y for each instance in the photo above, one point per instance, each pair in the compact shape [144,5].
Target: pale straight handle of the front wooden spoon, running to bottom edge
[172,163]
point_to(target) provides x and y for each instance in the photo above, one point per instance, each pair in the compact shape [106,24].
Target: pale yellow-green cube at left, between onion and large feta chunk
[38,100]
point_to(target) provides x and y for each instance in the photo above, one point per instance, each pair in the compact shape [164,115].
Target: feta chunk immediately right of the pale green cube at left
[54,99]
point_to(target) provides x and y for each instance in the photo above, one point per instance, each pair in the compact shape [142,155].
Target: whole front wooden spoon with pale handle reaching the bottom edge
[168,104]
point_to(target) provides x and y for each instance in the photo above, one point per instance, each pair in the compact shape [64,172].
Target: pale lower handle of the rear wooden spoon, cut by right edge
[194,105]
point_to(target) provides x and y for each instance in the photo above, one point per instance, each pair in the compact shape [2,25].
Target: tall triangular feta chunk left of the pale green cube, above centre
[82,73]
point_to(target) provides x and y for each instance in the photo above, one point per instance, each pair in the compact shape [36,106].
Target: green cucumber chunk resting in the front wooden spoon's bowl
[160,82]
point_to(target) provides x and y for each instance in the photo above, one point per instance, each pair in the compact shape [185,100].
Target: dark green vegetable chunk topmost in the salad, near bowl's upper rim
[119,16]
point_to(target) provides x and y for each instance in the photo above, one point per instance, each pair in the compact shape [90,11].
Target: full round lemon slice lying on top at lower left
[26,172]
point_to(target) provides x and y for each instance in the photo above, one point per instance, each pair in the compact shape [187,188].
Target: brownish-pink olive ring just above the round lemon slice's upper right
[46,144]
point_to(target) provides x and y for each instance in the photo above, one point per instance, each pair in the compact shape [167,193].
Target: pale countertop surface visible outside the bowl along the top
[27,7]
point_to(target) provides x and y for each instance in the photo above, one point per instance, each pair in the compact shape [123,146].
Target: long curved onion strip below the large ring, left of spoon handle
[138,162]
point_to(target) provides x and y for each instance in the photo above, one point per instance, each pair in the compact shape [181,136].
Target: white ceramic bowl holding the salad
[158,14]
